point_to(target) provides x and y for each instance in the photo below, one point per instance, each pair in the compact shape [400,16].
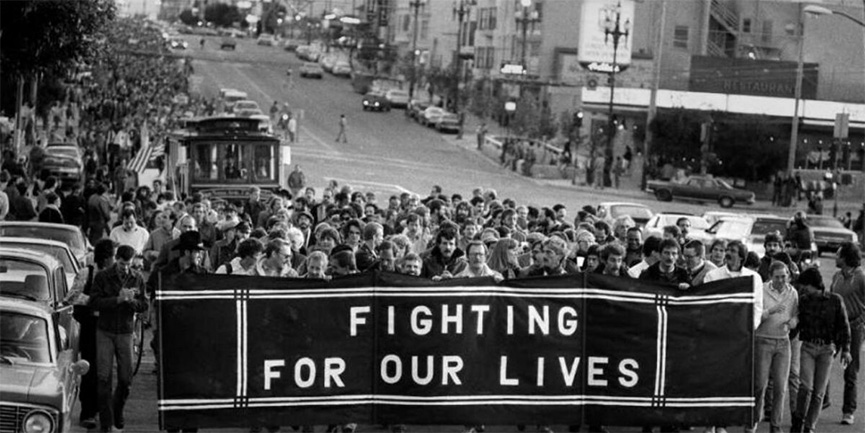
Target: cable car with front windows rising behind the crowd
[223,157]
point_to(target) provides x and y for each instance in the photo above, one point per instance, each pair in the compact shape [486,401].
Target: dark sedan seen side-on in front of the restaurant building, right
[701,188]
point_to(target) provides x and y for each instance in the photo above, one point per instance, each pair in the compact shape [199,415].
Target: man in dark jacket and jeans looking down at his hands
[118,293]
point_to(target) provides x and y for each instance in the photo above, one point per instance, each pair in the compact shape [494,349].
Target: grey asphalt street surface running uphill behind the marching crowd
[387,153]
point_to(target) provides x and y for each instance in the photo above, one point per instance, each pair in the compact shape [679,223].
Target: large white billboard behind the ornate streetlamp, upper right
[595,51]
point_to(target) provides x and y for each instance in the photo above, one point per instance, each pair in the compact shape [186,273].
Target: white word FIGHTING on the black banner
[460,318]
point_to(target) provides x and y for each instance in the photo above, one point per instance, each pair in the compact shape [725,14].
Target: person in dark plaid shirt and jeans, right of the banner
[824,331]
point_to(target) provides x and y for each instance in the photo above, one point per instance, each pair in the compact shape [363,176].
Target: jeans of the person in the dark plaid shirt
[814,375]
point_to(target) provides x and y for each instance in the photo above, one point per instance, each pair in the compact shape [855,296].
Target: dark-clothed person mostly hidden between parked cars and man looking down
[103,258]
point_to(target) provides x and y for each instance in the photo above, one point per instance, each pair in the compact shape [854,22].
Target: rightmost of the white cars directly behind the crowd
[750,229]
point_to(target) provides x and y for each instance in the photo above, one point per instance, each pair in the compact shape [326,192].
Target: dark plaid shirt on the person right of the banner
[823,320]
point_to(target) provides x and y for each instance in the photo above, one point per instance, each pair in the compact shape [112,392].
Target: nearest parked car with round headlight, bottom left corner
[41,369]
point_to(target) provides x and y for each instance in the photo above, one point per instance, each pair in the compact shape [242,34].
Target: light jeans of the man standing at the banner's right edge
[772,359]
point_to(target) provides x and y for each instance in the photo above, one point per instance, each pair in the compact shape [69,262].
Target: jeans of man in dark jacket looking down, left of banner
[109,346]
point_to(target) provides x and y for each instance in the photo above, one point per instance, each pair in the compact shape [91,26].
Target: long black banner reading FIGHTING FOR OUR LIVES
[382,348]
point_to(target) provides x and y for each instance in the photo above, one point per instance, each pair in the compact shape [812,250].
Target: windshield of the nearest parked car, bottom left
[24,338]
